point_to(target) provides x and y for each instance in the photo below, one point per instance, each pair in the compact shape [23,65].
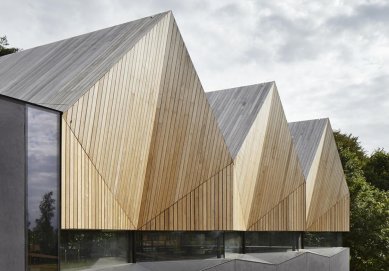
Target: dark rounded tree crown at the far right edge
[377,169]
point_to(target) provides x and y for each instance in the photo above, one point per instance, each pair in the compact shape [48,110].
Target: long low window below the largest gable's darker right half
[164,246]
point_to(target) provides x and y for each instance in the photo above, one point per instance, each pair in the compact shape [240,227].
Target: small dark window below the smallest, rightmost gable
[322,239]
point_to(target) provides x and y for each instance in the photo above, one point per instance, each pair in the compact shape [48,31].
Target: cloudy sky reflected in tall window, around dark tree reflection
[43,160]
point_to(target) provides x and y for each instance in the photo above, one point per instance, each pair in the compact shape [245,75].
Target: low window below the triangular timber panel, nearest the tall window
[95,249]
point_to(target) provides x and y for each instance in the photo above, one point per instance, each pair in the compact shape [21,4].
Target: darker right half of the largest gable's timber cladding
[188,184]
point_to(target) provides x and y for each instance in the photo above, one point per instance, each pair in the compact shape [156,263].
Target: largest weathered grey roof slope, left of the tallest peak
[56,75]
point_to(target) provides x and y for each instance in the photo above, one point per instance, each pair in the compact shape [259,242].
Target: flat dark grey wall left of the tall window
[12,185]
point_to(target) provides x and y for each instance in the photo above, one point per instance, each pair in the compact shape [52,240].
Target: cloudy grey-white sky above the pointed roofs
[328,58]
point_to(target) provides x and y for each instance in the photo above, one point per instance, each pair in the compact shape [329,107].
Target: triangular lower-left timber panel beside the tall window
[87,201]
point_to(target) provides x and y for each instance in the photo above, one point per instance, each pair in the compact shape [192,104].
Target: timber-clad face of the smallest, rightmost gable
[328,208]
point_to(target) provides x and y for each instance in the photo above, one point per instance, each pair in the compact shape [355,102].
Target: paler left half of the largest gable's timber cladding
[106,139]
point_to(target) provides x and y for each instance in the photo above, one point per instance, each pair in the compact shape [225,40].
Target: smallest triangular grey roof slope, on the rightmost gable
[306,137]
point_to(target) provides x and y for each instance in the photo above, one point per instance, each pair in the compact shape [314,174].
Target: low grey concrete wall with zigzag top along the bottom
[336,259]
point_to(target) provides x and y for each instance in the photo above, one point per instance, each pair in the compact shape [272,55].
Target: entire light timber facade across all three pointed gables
[143,149]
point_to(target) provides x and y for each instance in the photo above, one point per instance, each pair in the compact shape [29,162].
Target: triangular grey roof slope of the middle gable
[236,109]
